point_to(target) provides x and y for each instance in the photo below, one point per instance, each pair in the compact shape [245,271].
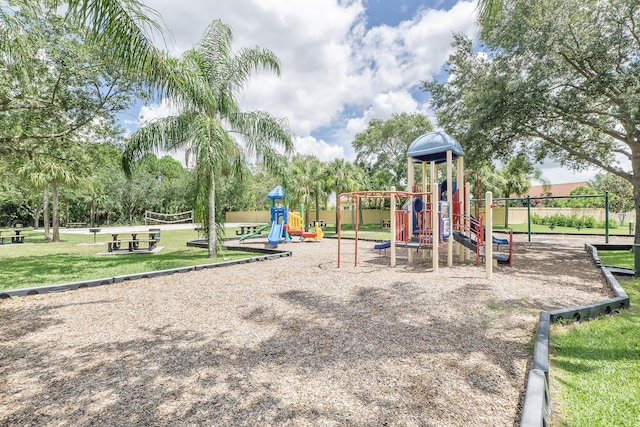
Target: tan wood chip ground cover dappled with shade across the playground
[291,342]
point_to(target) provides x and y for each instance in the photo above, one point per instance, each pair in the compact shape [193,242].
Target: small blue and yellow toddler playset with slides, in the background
[285,223]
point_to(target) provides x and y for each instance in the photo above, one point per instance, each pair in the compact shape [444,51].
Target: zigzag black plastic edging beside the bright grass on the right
[537,403]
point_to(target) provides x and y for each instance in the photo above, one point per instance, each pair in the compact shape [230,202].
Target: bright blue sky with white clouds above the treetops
[344,62]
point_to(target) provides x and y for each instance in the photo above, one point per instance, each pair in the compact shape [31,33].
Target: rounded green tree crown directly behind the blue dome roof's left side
[383,145]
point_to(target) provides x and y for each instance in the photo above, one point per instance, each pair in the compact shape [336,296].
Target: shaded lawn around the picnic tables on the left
[41,263]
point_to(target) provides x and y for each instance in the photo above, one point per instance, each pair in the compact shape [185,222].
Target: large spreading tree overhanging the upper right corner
[559,80]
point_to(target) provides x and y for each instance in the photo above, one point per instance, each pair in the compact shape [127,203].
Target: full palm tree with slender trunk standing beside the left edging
[216,74]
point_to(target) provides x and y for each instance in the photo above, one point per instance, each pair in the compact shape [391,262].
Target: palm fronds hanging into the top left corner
[125,30]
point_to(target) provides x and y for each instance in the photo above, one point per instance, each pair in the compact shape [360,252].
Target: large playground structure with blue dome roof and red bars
[436,213]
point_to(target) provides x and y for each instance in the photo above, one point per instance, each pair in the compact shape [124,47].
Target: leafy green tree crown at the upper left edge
[74,88]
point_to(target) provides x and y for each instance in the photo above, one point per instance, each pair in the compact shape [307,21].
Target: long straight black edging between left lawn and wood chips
[271,254]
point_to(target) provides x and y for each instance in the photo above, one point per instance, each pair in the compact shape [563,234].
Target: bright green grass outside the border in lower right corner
[596,365]
